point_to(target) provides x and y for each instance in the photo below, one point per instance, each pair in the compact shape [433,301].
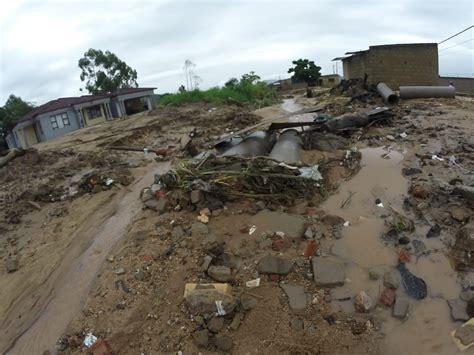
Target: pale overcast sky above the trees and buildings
[42,41]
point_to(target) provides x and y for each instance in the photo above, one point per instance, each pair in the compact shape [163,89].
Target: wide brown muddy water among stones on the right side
[428,325]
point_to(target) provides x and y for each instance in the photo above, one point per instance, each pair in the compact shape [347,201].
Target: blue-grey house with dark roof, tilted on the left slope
[67,114]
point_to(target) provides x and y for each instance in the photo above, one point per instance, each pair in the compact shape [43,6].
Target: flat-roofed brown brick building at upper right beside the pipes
[394,64]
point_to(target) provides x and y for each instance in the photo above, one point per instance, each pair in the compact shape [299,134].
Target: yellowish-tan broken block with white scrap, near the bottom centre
[203,301]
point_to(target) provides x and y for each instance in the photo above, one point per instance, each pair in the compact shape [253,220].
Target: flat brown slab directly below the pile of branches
[292,226]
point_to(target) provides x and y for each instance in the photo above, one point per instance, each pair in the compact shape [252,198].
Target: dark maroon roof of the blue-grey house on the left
[65,102]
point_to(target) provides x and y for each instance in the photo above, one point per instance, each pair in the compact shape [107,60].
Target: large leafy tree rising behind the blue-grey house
[104,72]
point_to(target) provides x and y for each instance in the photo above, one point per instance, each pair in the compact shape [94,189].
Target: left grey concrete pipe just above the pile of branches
[257,144]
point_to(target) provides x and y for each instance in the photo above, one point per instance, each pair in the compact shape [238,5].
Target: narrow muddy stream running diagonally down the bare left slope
[81,265]
